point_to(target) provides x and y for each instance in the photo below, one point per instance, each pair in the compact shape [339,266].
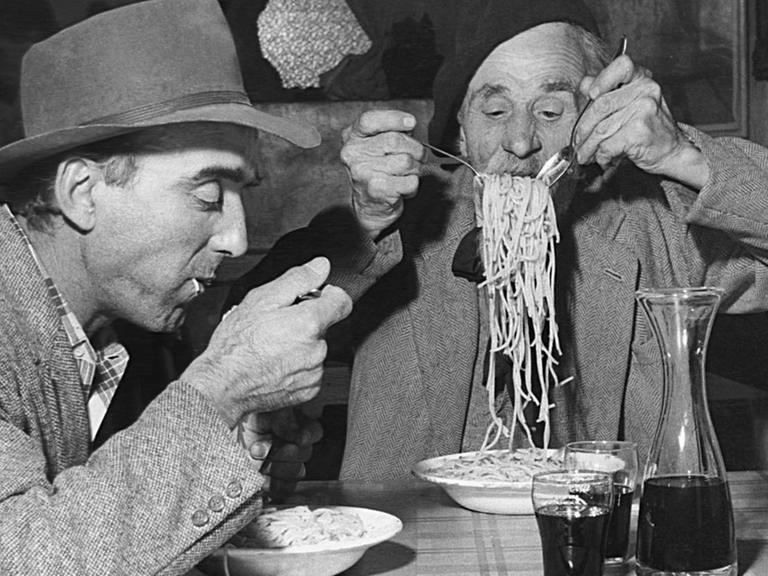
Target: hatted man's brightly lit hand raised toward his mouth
[268,353]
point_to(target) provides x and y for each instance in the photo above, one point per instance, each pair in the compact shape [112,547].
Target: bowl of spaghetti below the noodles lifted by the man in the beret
[491,481]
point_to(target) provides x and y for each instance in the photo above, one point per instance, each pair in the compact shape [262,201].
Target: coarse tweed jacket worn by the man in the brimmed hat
[154,499]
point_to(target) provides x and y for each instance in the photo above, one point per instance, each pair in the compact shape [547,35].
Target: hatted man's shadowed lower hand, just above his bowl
[283,441]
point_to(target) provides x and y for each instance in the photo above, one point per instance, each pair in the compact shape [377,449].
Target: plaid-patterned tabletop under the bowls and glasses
[440,538]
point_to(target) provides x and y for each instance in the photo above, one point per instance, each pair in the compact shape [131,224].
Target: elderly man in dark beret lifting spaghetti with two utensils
[668,206]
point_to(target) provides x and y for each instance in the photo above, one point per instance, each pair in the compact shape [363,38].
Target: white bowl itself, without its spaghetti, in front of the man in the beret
[480,495]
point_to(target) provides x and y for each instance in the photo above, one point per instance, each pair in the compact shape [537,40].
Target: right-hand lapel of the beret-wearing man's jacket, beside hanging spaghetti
[597,279]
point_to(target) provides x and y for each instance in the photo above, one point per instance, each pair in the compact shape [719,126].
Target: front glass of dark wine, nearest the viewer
[573,508]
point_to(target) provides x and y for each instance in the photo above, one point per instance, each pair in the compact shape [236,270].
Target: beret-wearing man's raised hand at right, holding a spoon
[629,118]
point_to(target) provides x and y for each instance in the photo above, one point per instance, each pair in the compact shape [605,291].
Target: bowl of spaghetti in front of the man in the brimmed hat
[302,541]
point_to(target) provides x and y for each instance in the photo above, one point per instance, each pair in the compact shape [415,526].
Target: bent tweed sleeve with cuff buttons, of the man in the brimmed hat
[156,498]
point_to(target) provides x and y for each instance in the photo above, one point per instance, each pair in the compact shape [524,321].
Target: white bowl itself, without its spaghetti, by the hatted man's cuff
[325,559]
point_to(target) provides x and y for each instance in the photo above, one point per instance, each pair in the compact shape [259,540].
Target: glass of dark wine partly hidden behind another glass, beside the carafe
[618,458]
